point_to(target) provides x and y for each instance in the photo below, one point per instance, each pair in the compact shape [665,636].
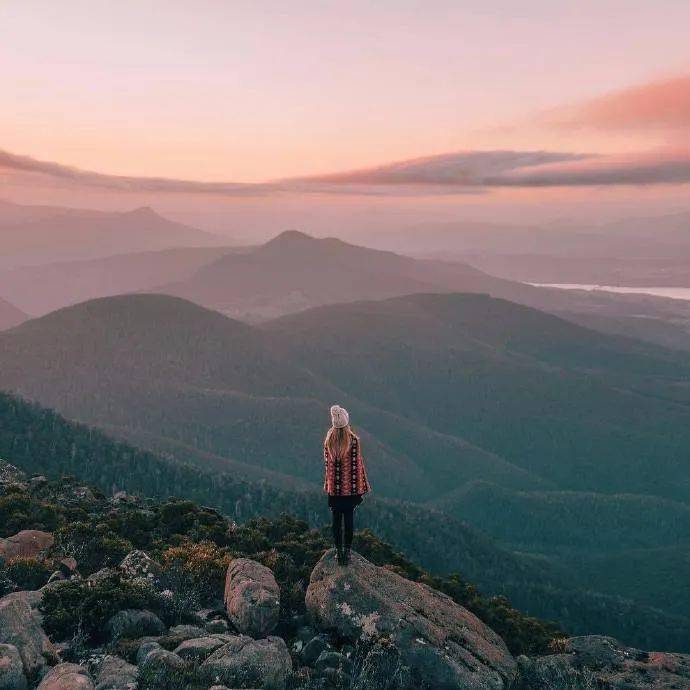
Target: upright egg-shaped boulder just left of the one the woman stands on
[252,597]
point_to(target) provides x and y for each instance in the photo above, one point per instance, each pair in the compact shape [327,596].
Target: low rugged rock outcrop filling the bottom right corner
[596,661]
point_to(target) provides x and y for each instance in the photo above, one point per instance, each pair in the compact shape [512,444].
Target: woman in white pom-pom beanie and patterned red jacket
[346,478]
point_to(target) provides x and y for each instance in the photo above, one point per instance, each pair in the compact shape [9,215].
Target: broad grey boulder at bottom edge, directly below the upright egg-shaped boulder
[247,663]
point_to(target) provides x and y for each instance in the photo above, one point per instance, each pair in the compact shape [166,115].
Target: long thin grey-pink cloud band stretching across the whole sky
[469,172]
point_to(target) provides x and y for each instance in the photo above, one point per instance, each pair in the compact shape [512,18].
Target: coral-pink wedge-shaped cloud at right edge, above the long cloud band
[663,104]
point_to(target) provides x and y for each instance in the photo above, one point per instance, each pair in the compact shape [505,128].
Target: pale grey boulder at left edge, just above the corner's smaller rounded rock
[19,627]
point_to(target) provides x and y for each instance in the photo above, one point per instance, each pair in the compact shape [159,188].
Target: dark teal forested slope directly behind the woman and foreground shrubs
[38,440]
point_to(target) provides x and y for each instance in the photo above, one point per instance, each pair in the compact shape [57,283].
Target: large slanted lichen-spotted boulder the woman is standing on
[437,643]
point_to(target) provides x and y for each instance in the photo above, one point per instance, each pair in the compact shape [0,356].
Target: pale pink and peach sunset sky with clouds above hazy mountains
[392,98]
